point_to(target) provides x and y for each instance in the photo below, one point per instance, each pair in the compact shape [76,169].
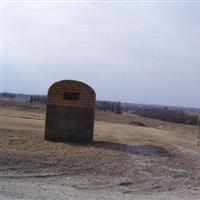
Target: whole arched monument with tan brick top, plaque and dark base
[70,112]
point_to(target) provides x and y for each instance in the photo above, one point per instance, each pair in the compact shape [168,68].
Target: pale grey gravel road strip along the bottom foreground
[75,188]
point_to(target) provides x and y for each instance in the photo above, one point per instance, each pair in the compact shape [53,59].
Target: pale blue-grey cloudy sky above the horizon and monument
[142,52]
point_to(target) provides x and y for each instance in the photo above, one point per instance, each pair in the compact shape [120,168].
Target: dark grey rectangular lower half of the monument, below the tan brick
[69,124]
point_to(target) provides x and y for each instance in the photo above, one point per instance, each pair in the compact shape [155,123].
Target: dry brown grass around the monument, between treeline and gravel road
[126,156]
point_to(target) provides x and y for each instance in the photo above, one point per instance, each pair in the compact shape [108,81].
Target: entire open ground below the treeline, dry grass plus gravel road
[158,161]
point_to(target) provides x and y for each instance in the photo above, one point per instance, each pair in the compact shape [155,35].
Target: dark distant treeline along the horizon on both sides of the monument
[168,114]
